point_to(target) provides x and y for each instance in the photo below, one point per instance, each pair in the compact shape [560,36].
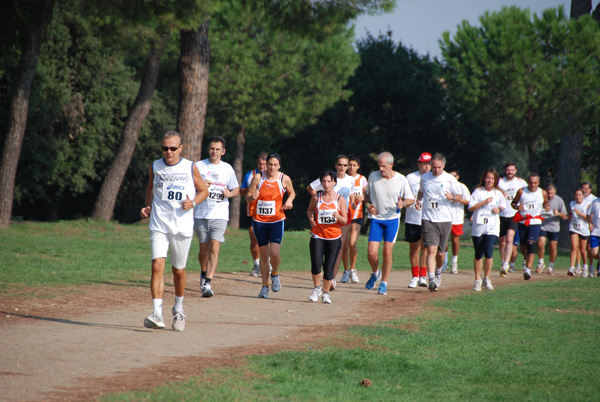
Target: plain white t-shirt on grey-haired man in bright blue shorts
[384,194]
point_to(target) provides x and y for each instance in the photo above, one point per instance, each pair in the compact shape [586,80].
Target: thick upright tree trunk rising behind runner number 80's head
[194,62]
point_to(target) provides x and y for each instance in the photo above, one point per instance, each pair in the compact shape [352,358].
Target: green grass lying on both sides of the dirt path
[538,342]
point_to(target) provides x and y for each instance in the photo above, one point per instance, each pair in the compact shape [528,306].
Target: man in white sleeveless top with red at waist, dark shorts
[530,201]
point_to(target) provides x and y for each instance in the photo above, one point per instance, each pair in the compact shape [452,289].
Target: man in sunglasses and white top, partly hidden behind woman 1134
[345,188]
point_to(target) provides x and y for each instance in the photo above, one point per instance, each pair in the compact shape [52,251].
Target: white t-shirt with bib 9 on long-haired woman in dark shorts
[485,222]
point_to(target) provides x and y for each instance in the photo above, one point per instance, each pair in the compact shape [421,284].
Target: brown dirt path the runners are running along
[91,342]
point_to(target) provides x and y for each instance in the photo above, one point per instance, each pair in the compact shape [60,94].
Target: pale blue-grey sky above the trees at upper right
[419,24]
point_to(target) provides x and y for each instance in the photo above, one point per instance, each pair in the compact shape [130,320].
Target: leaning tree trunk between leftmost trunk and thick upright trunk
[105,203]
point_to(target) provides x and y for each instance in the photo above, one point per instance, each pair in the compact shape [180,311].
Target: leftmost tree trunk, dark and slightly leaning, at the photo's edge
[30,49]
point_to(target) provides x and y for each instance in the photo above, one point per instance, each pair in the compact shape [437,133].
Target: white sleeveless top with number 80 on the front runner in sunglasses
[171,186]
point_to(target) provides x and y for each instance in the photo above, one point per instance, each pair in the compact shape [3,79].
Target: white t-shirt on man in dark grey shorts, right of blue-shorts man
[436,207]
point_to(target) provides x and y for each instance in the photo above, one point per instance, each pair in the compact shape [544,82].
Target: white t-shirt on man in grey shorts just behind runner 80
[221,176]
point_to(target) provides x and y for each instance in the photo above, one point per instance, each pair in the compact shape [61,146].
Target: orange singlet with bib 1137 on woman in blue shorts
[270,200]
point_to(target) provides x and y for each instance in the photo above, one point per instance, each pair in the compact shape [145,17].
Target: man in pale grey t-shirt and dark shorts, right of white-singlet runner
[551,229]
